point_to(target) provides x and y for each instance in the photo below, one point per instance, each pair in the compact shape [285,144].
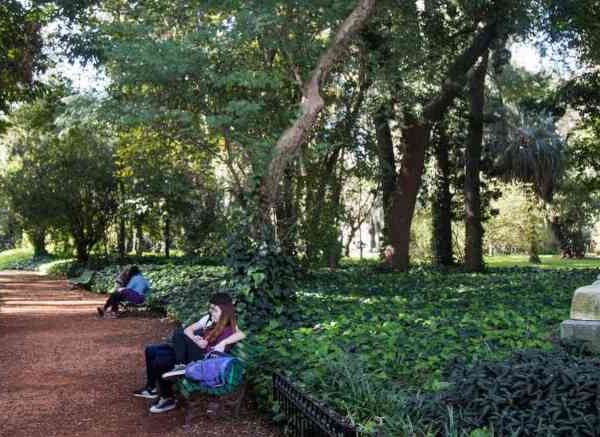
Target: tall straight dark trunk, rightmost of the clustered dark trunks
[474,228]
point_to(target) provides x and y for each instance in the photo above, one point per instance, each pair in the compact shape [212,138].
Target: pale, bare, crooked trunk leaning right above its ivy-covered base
[311,105]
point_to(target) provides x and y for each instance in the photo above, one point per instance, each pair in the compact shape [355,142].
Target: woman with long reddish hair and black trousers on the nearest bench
[217,331]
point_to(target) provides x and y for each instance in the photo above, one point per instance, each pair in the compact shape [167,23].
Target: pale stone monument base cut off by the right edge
[585,316]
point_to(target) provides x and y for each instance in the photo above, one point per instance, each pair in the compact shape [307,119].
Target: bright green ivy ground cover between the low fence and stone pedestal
[386,335]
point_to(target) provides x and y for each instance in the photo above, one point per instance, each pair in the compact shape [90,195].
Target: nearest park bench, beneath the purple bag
[199,399]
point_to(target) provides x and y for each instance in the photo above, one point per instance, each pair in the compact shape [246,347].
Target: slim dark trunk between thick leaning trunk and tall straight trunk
[442,203]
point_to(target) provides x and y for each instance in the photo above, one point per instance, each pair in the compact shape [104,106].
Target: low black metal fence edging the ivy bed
[304,416]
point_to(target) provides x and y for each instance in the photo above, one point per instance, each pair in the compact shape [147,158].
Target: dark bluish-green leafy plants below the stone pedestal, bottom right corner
[533,393]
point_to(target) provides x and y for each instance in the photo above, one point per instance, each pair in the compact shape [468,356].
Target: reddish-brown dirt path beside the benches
[64,372]
